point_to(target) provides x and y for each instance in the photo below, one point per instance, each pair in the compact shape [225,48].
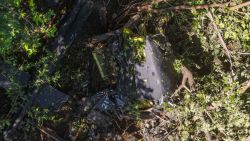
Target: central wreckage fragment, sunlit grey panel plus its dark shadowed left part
[152,78]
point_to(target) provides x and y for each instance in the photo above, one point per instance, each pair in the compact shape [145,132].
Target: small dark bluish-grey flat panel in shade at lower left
[49,97]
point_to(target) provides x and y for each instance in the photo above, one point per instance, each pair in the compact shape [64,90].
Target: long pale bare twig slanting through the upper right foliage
[227,52]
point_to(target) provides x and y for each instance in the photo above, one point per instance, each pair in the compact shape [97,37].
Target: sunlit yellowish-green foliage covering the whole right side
[216,106]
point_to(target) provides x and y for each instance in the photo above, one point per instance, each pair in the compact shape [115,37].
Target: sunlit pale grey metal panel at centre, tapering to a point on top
[151,77]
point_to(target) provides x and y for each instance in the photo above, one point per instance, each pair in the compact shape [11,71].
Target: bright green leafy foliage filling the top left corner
[23,28]
